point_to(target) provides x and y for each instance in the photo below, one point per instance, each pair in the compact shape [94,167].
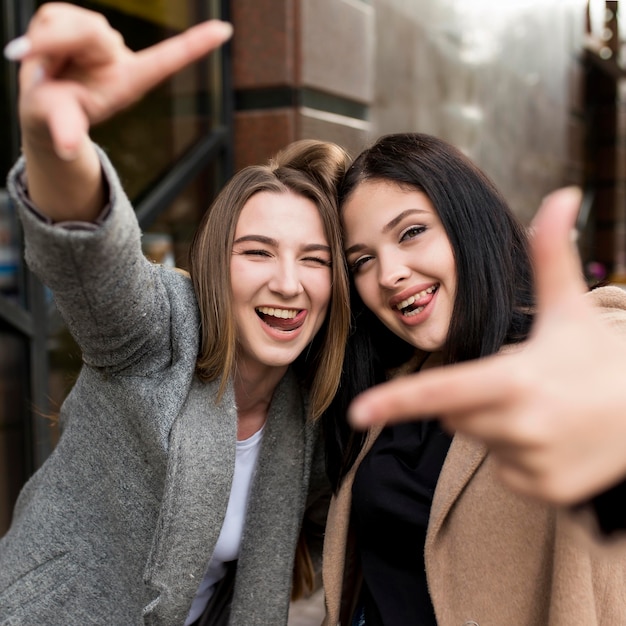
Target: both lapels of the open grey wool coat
[199,477]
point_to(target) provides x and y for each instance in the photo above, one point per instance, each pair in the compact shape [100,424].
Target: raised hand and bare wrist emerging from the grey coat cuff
[75,72]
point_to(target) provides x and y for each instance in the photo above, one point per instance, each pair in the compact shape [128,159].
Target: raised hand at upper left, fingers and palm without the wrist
[76,71]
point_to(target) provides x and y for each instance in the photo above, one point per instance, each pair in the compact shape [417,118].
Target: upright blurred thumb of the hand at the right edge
[558,274]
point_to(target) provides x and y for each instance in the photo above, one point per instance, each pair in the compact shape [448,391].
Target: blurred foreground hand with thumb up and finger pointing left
[552,413]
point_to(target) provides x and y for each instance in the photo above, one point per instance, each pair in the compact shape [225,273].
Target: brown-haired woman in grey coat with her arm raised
[188,473]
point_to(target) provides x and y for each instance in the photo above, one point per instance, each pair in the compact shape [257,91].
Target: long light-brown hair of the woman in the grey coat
[310,169]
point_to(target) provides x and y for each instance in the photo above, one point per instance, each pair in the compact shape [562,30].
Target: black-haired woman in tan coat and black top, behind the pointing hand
[421,530]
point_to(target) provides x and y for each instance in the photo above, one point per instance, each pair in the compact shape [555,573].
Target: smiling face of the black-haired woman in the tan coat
[401,260]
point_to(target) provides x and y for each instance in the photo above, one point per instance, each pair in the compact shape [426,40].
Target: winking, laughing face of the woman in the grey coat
[281,279]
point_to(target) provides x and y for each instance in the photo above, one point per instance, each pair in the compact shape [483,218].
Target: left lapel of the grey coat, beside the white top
[200,470]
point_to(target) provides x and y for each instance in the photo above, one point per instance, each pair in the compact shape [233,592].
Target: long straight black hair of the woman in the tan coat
[494,292]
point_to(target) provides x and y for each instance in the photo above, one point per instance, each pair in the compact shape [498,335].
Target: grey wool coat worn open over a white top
[117,527]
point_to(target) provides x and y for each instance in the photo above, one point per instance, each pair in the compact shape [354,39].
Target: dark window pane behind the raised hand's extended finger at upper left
[145,140]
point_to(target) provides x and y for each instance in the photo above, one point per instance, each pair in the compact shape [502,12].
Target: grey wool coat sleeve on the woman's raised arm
[109,294]
